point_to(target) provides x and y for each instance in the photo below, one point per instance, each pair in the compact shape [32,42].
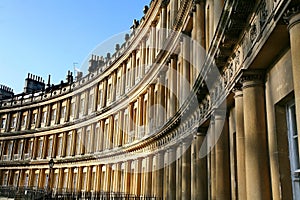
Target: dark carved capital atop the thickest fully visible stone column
[252,78]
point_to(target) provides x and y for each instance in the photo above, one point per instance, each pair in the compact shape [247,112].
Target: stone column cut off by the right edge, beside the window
[293,16]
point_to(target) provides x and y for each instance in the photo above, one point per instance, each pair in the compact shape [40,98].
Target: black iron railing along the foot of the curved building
[44,194]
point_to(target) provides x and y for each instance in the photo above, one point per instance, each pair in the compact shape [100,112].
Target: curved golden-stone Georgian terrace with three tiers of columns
[132,126]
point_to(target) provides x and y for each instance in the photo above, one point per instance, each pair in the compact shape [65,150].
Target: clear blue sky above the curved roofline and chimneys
[47,36]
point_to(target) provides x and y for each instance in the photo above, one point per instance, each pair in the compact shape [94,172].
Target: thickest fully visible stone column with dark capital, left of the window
[257,170]
